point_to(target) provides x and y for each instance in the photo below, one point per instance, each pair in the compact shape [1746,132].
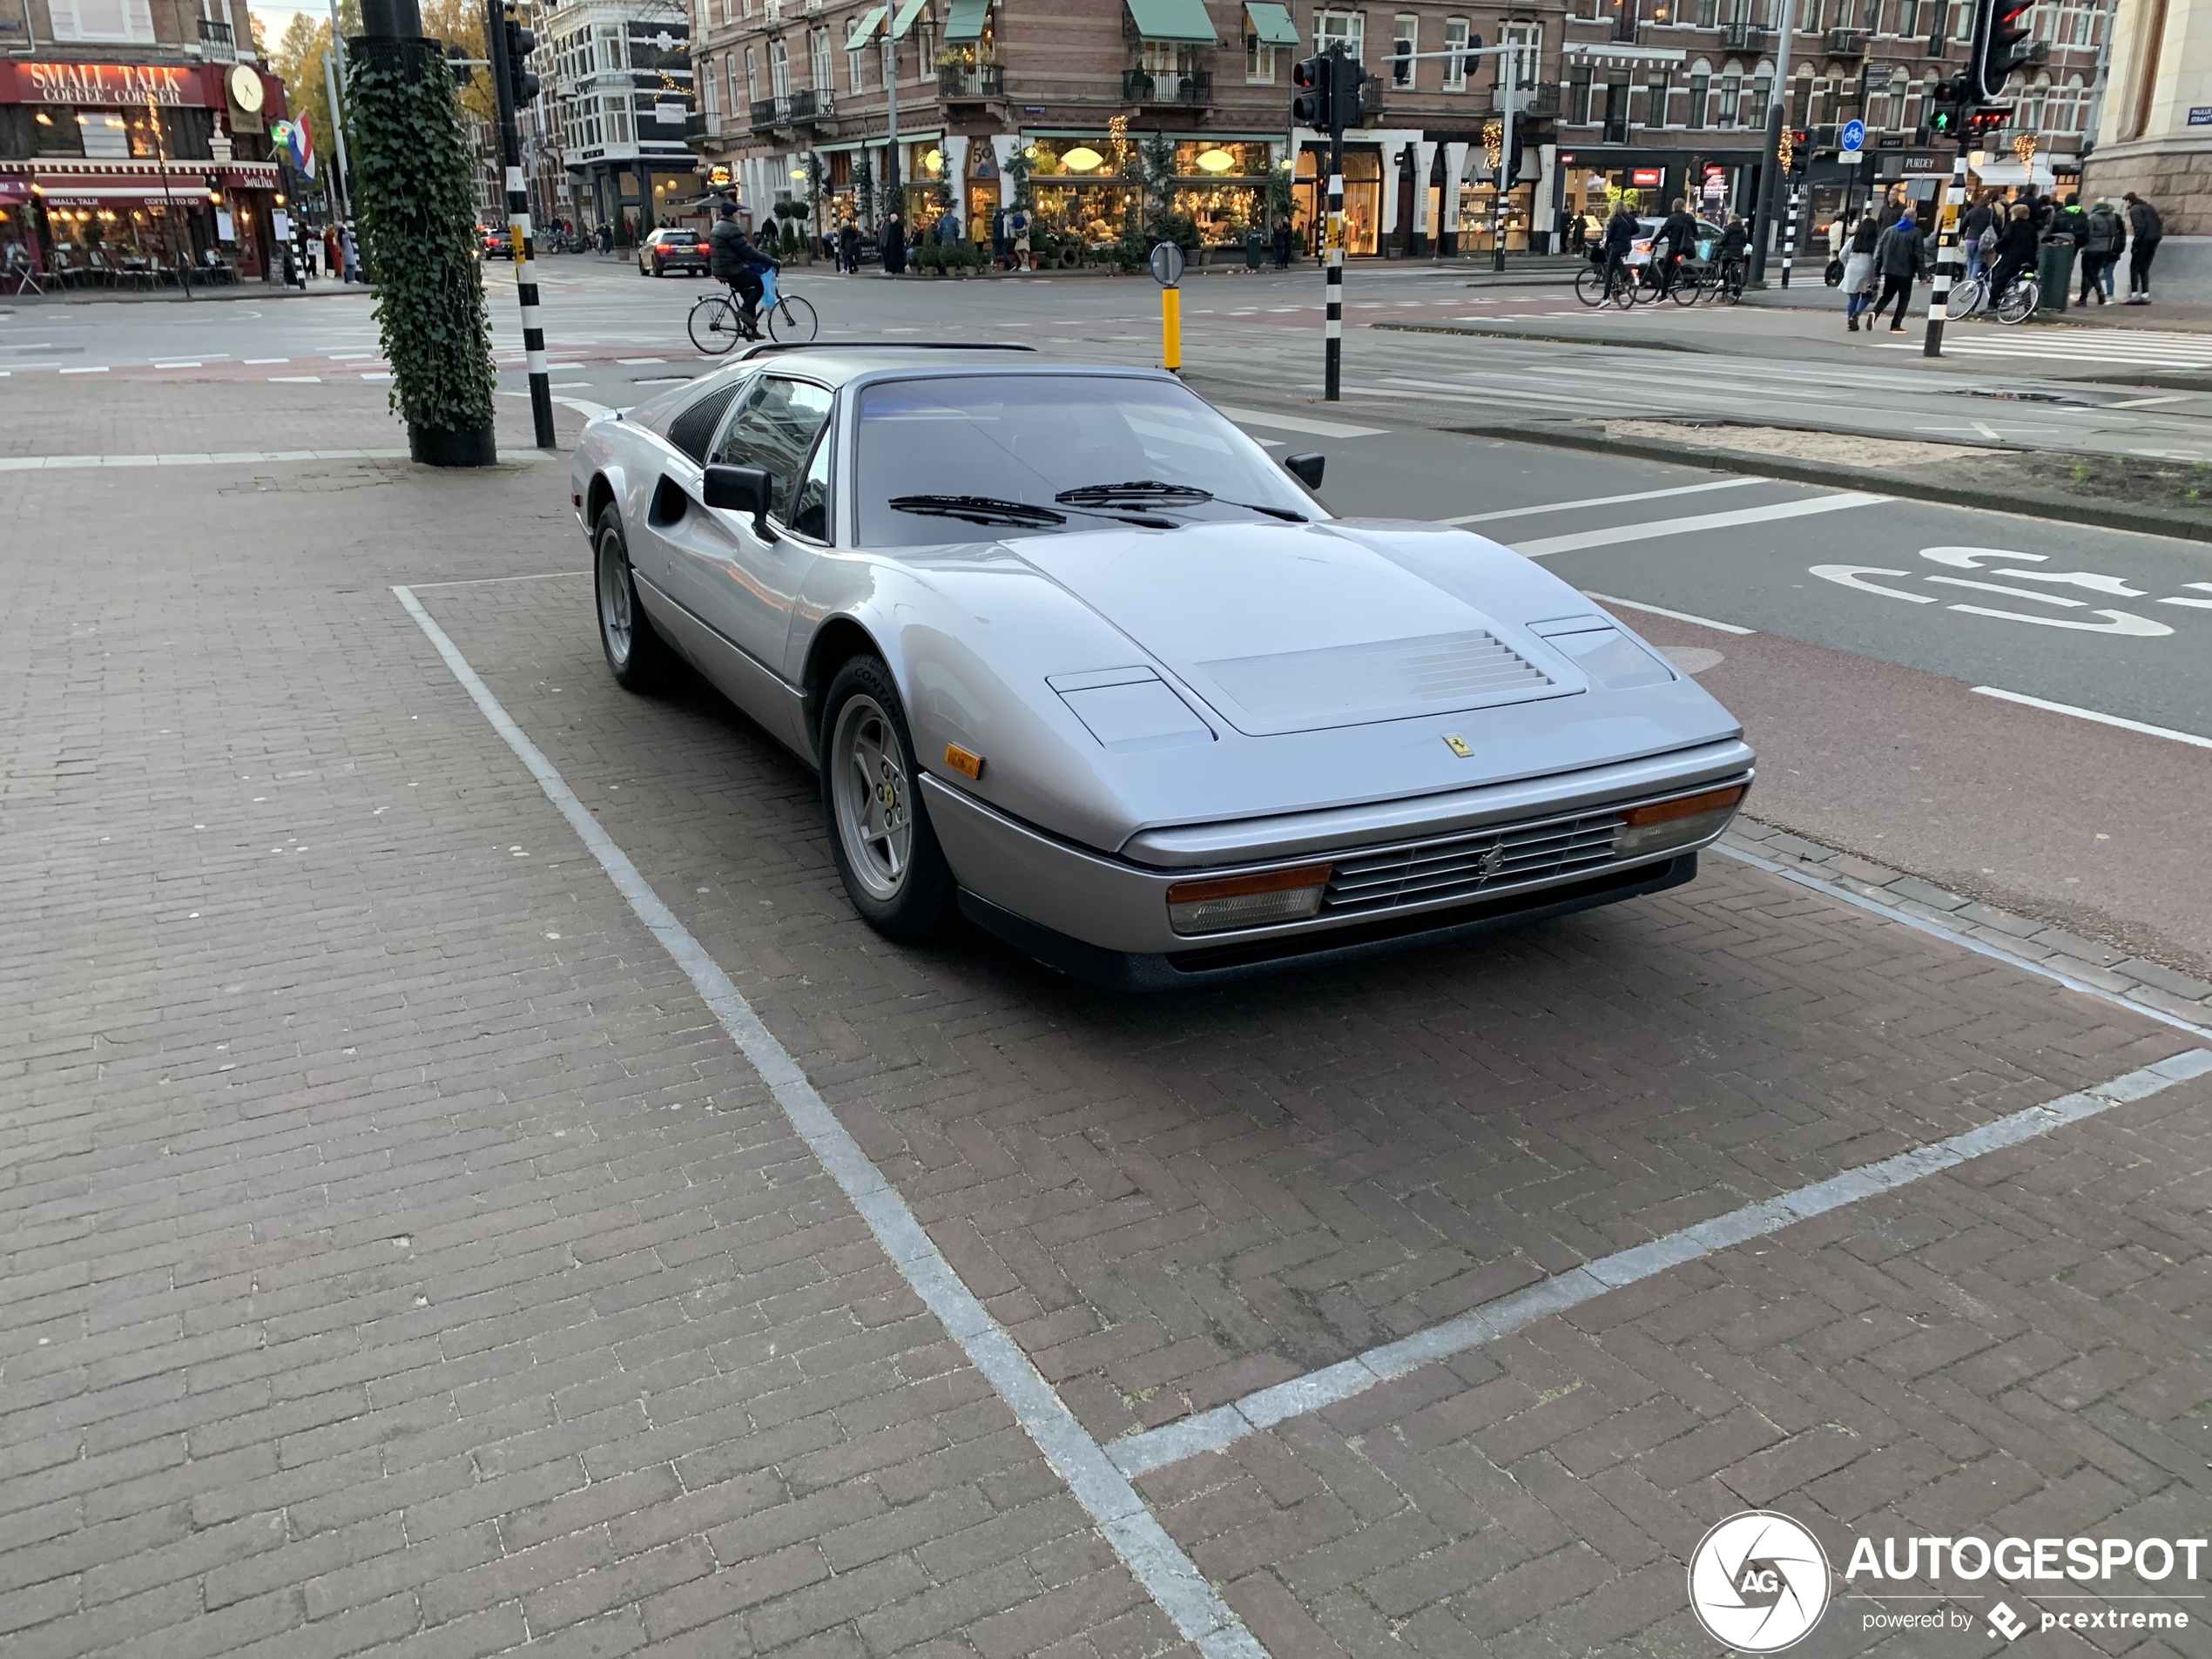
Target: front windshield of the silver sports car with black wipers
[1036,455]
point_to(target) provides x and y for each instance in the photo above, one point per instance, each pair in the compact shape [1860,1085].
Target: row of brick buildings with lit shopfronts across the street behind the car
[1618,98]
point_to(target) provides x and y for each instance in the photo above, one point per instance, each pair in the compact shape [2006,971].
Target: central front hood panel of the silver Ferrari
[1308,627]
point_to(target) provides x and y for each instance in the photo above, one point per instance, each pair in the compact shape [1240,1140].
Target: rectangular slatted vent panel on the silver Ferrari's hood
[1381,680]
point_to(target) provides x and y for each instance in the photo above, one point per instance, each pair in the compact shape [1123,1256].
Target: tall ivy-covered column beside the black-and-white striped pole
[417,216]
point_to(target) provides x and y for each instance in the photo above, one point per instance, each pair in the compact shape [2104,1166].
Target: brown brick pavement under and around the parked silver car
[399,1258]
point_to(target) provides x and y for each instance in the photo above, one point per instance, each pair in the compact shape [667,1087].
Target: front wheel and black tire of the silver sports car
[919,901]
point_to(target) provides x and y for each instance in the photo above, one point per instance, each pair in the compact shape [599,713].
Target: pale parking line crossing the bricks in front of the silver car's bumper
[1227,1423]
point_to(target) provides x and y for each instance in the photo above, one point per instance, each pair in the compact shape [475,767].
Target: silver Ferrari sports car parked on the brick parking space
[1078,658]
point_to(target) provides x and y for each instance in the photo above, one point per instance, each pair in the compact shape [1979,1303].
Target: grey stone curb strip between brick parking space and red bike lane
[2114,972]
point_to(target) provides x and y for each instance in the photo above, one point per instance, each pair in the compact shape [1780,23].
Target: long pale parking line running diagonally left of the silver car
[1114,1505]
